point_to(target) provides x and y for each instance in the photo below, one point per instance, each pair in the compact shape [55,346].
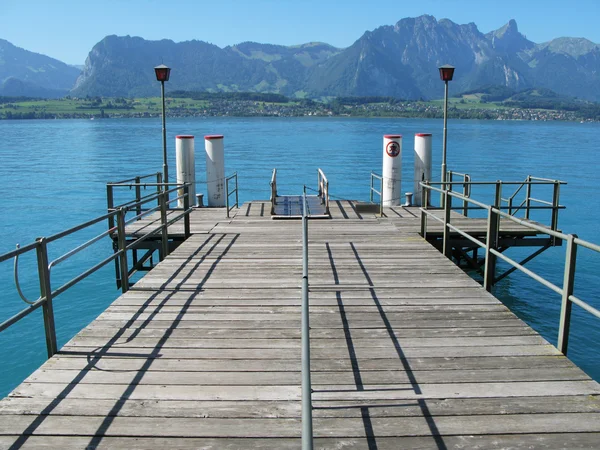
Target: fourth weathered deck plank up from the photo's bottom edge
[335,392]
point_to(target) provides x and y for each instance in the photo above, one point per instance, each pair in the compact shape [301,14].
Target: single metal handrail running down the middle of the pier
[307,429]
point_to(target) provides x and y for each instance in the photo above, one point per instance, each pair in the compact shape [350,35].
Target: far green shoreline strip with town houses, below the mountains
[222,106]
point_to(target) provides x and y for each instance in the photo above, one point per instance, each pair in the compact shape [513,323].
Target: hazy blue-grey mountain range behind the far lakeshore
[399,60]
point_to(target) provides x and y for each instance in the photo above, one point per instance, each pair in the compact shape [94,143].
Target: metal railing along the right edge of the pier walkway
[494,214]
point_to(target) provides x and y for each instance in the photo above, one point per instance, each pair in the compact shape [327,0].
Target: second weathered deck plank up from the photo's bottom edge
[323,427]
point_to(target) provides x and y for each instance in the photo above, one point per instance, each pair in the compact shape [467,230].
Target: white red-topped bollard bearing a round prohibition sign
[392,170]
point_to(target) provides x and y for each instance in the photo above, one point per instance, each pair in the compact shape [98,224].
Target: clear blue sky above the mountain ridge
[68,29]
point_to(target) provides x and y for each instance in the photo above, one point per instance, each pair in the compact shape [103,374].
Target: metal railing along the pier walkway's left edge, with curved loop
[44,268]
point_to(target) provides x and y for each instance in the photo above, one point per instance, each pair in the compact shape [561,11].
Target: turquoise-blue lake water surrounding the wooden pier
[55,171]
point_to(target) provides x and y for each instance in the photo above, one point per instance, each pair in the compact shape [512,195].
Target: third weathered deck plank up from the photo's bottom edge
[256,409]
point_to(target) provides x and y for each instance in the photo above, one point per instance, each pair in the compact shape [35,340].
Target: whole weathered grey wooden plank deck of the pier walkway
[204,351]
